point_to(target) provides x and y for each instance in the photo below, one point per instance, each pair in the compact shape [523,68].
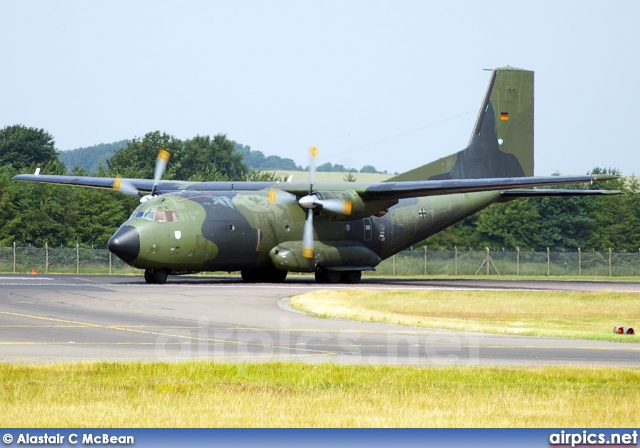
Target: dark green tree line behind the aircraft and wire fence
[63,216]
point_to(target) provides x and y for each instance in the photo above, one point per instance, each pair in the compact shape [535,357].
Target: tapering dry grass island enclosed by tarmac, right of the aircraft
[568,314]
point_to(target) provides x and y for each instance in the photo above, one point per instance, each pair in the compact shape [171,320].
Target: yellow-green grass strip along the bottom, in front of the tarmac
[208,394]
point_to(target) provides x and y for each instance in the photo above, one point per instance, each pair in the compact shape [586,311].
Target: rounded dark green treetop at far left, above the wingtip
[23,147]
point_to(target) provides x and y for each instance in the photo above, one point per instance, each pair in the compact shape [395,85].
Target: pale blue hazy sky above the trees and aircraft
[394,84]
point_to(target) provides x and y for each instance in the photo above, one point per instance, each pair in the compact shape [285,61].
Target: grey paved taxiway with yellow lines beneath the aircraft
[51,318]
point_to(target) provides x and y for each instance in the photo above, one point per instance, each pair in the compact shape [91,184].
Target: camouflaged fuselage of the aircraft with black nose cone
[191,231]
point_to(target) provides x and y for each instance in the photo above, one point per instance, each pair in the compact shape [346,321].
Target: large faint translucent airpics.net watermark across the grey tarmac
[203,341]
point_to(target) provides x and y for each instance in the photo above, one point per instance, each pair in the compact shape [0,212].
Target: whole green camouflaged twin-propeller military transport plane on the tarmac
[337,230]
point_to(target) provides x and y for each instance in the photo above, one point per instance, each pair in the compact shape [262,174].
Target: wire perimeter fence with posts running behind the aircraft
[422,262]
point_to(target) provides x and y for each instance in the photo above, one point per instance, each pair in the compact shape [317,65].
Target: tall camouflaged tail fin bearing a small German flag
[501,144]
